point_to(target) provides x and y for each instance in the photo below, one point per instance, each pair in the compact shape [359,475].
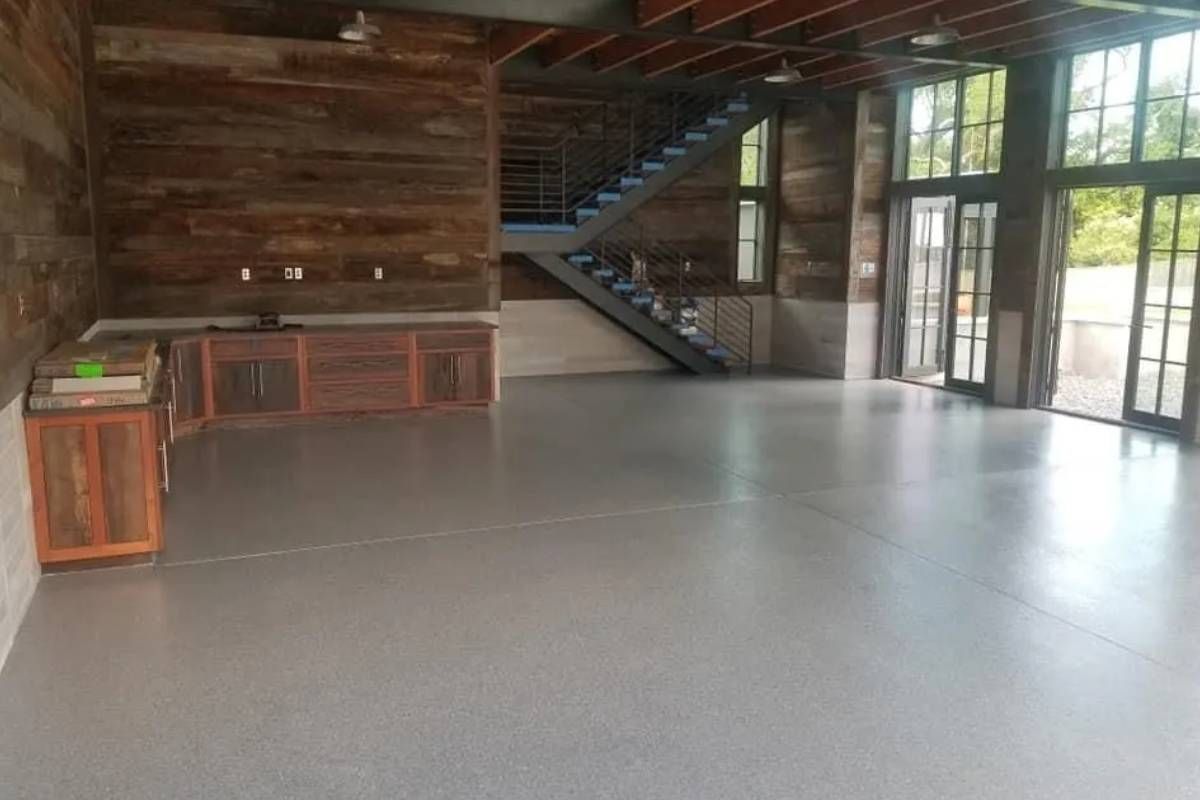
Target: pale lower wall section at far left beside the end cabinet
[19,561]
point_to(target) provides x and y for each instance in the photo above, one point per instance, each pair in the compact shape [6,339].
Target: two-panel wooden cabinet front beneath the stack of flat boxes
[95,482]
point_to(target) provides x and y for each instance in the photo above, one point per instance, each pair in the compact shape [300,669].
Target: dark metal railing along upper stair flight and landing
[548,183]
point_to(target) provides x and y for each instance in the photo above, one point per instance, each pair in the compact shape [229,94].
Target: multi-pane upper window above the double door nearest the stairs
[957,128]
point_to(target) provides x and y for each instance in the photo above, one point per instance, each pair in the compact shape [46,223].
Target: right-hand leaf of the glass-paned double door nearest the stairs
[970,312]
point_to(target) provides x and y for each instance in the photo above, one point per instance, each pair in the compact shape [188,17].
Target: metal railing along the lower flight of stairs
[689,294]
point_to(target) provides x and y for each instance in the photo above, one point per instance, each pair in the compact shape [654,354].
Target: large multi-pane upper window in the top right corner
[1135,103]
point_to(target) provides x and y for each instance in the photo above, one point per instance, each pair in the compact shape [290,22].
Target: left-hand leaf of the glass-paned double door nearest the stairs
[927,287]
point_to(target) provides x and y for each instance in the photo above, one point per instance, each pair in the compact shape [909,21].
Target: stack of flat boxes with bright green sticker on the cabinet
[92,375]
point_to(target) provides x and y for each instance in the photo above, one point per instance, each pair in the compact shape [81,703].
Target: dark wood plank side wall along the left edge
[47,264]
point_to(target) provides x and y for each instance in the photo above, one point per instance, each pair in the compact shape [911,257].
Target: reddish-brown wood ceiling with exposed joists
[836,44]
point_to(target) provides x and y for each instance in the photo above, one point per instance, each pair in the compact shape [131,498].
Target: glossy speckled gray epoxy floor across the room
[639,587]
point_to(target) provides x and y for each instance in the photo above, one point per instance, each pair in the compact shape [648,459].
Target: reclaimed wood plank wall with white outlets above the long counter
[242,134]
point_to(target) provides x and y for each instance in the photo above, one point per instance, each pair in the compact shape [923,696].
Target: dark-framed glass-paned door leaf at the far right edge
[1165,310]
